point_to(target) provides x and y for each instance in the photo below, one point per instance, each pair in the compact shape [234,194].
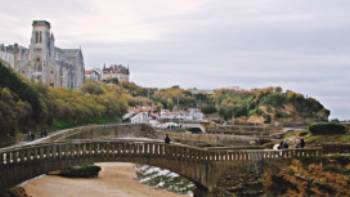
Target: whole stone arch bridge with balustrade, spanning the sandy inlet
[203,167]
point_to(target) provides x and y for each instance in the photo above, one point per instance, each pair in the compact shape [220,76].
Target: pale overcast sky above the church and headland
[303,45]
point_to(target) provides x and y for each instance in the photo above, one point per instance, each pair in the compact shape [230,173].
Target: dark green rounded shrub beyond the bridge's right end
[327,128]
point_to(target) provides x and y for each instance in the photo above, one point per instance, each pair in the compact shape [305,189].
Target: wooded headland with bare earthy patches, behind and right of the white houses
[242,106]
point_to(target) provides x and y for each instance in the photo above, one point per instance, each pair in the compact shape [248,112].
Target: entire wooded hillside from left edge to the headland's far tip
[27,106]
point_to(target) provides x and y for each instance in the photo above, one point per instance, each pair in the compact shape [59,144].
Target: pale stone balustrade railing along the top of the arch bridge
[141,149]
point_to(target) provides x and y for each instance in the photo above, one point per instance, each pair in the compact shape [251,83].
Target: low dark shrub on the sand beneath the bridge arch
[89,171]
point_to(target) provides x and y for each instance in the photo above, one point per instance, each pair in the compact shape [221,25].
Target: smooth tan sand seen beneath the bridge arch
[115,180]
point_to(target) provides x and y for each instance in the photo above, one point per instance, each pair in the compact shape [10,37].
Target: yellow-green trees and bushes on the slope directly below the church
[27,106]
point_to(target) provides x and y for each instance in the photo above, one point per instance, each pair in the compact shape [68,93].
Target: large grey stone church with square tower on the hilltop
[43,61]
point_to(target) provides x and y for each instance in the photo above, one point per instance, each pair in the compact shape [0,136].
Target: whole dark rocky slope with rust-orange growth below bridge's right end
[325,177]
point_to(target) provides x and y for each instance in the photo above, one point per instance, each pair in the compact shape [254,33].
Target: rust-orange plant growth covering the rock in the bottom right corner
[310,179]
